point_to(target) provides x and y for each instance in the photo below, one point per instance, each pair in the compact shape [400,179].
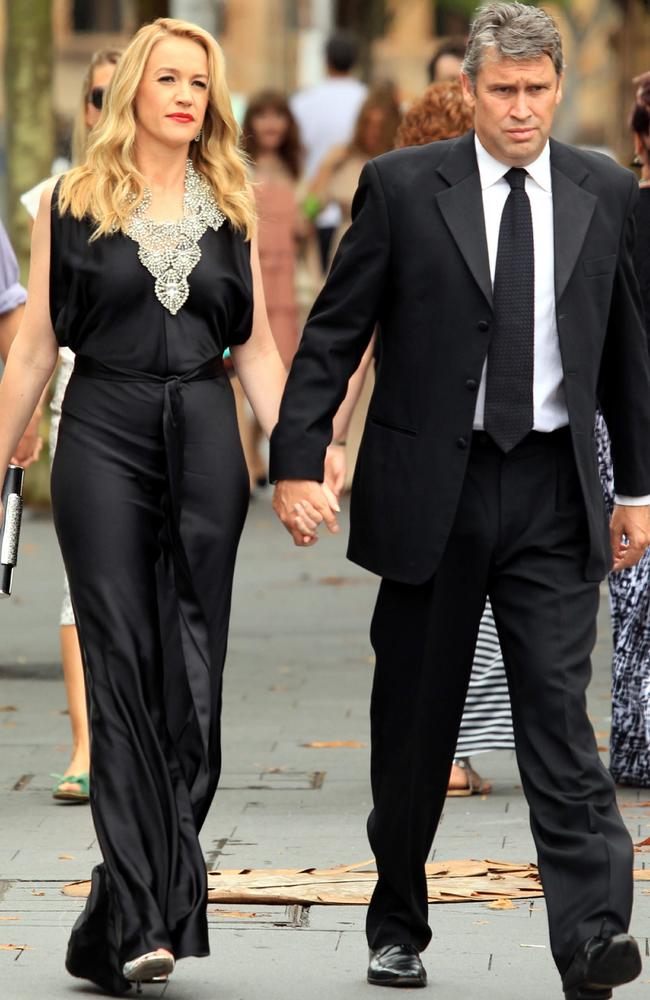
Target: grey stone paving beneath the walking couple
[299,670]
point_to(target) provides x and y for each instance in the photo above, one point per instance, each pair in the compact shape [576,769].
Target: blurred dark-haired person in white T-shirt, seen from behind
[326,115]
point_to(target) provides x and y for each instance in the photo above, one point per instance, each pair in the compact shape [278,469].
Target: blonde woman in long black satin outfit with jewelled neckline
[150,272]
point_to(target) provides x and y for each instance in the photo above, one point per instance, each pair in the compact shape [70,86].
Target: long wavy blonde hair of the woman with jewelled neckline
[107,187]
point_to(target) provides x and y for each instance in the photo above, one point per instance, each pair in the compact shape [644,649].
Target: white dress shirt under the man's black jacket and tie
[549,401]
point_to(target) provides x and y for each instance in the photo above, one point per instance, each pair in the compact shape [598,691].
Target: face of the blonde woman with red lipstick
[172,98]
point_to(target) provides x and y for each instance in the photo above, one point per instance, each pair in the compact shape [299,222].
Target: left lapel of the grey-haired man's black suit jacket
[461,206]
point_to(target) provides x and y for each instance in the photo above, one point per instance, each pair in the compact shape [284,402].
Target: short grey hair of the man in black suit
[513,31]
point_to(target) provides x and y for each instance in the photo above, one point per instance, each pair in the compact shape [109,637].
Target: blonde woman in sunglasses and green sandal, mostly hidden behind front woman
[72,785]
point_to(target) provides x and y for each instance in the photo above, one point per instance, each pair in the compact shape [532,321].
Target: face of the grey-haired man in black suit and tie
[514,102]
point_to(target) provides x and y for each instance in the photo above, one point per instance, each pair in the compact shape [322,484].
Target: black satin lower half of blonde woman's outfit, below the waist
[150,494]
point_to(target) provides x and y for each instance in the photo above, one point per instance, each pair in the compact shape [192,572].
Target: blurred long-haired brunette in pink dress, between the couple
[271,139]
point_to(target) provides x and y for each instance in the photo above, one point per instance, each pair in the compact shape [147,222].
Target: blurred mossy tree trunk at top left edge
[30,121]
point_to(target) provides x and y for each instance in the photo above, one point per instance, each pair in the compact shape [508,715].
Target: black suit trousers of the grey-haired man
[520,536]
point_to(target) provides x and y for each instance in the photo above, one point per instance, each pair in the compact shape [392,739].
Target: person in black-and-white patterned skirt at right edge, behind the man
[629,589]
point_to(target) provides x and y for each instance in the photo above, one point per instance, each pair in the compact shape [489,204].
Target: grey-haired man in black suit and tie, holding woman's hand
[497,267]
